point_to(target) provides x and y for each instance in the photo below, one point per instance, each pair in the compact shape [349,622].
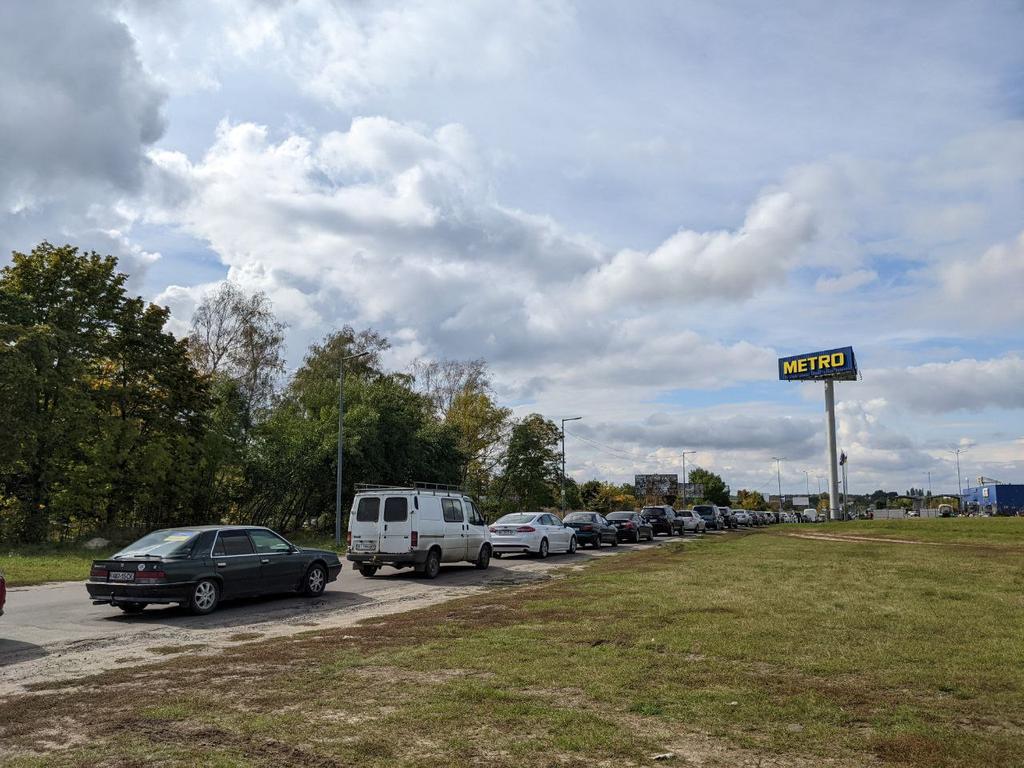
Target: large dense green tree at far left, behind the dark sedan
[107,412]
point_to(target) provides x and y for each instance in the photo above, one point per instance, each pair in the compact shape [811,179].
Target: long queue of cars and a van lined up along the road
[416,528]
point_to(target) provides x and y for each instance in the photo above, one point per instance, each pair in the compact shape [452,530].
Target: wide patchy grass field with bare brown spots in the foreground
[752,650]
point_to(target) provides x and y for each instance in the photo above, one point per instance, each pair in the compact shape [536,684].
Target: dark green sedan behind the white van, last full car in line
[200,567]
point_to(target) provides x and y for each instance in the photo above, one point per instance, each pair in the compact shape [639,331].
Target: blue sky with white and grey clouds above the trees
[630,210]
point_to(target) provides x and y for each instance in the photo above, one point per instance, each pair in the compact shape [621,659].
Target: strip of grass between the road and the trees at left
[26,567]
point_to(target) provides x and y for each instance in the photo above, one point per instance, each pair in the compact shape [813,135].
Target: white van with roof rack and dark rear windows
[418,528]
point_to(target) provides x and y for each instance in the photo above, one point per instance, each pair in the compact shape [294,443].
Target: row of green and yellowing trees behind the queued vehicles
[112,425]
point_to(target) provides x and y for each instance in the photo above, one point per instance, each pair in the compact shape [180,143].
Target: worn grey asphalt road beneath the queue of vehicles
[54,632]
